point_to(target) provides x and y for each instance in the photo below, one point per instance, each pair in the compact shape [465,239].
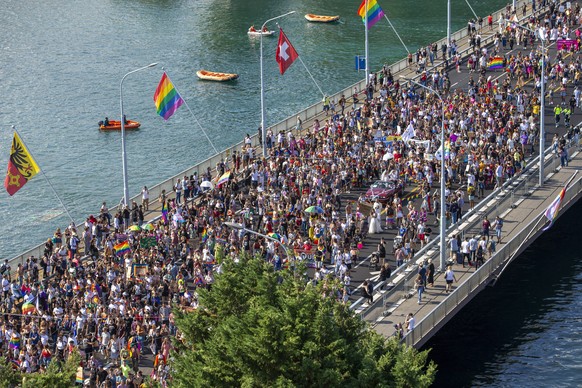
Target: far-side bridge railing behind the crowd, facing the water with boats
[285,125]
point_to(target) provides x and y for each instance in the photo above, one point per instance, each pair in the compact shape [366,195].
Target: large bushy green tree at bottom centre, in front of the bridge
[260,327]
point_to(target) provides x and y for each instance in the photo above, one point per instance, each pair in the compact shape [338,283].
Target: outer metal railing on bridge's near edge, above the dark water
[482,275]
